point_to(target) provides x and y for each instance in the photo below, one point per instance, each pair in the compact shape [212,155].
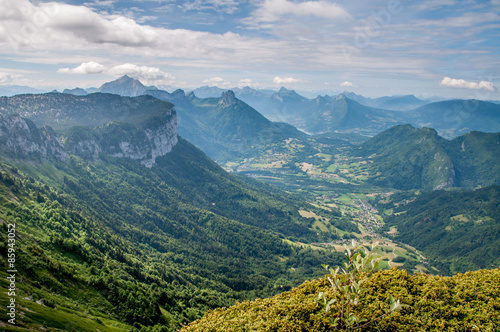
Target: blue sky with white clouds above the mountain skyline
[379,47]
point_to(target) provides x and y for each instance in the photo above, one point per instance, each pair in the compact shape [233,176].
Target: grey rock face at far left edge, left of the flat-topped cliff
[23,138]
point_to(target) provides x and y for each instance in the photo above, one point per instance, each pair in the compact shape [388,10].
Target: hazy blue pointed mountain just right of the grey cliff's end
[226,127]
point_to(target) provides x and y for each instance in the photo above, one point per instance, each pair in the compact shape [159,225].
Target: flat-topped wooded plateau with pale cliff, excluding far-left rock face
[141,128]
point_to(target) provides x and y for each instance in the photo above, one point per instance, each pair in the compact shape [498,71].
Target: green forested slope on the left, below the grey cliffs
[168,247]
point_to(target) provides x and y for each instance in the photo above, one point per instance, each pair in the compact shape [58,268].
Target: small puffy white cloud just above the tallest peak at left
[148,75]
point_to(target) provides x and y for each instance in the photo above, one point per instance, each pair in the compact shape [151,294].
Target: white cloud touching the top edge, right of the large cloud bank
[272,10]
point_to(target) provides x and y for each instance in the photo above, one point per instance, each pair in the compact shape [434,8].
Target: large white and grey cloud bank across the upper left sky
[57,27]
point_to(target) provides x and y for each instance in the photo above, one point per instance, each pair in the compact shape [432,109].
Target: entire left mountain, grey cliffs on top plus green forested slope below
[134,243]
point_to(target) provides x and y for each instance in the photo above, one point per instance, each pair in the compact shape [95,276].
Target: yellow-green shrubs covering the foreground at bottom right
[464,302]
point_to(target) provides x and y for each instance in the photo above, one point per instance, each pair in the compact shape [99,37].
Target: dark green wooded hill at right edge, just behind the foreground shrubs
[458,231]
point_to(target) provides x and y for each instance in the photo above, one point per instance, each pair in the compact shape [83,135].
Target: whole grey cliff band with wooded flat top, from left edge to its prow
[141,128]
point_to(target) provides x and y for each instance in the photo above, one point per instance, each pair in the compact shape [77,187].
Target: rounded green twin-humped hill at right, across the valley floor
[405,157]
